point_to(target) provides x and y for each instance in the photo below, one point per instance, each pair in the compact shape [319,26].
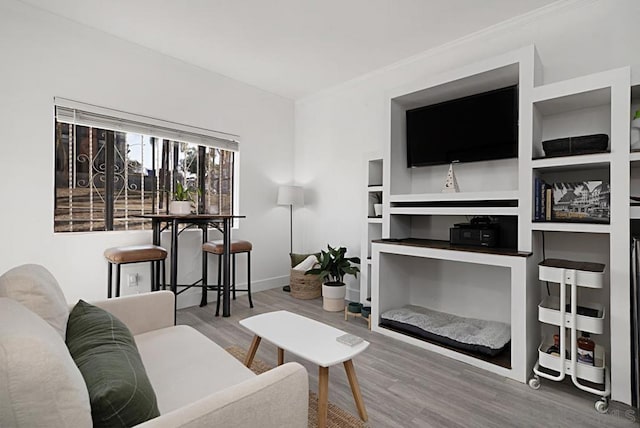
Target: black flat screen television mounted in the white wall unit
[475,128]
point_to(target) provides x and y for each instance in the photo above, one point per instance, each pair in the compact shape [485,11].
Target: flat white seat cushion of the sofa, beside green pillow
[184,366]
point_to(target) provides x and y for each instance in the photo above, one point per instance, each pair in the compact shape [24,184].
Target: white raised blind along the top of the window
[77,113]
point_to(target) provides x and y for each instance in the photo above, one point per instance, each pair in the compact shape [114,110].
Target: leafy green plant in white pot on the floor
[333,267]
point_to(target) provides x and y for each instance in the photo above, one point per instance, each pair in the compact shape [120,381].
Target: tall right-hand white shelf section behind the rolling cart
[593,104]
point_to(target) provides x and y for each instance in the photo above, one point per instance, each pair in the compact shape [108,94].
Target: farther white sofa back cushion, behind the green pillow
[36,288]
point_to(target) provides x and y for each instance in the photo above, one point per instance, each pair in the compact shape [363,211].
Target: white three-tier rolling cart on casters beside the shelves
[554,311]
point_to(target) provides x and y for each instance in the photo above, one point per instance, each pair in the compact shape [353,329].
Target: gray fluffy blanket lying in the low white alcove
[470,331]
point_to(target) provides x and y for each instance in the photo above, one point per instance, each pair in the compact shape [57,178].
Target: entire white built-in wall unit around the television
[505,287]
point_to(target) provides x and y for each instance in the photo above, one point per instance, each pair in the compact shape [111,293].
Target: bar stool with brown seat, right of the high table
[217,248]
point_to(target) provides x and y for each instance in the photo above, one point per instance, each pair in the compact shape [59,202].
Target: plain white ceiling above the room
[290,47]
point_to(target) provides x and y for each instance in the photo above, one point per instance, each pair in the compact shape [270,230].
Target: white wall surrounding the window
[43,56]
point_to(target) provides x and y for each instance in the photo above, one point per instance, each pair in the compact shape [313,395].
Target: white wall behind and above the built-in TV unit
[334,129]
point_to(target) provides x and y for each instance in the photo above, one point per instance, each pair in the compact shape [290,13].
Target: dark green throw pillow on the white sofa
[106,354]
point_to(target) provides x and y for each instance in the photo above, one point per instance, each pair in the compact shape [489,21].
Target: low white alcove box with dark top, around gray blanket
[478,283]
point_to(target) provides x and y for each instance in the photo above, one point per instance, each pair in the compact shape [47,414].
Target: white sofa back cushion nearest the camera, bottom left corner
[40,385]
